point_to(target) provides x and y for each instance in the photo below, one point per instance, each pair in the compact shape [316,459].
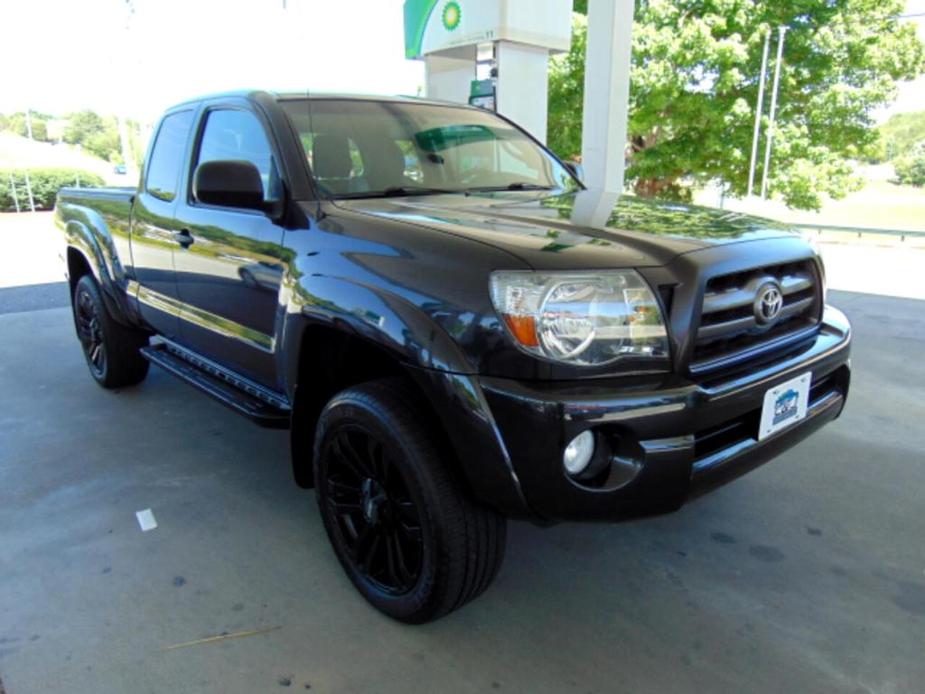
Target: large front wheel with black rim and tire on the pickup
[407,534]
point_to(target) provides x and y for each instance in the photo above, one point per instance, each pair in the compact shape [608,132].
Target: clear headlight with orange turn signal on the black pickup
[581,318]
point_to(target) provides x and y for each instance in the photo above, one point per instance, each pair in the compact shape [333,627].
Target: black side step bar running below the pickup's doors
[242,395]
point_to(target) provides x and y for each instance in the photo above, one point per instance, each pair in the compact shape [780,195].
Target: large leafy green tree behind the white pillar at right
[694,83]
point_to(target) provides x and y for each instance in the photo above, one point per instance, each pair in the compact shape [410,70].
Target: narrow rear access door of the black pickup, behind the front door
[155,233]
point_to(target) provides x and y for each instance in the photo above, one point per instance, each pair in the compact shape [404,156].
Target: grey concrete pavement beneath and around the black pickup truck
[807,575]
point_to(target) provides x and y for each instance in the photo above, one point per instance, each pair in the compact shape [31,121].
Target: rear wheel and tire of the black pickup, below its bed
[111,349]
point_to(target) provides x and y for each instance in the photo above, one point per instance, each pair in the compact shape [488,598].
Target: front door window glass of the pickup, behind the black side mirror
[232,134]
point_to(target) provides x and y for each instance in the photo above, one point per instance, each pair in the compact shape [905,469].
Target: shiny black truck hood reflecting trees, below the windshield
[582,230]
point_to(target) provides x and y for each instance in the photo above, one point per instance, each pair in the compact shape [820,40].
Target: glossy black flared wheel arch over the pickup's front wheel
[327,347]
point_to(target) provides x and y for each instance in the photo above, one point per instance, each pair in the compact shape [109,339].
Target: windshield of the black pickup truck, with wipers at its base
[359,148]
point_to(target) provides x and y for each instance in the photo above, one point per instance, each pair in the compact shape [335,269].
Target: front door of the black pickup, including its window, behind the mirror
[229,275]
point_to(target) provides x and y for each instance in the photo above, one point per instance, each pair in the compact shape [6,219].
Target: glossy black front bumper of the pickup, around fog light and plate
[664,440]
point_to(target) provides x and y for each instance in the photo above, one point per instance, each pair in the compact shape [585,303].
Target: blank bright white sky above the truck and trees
[63,55]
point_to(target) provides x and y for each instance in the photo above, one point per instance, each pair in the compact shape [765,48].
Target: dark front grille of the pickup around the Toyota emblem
[731,329]
